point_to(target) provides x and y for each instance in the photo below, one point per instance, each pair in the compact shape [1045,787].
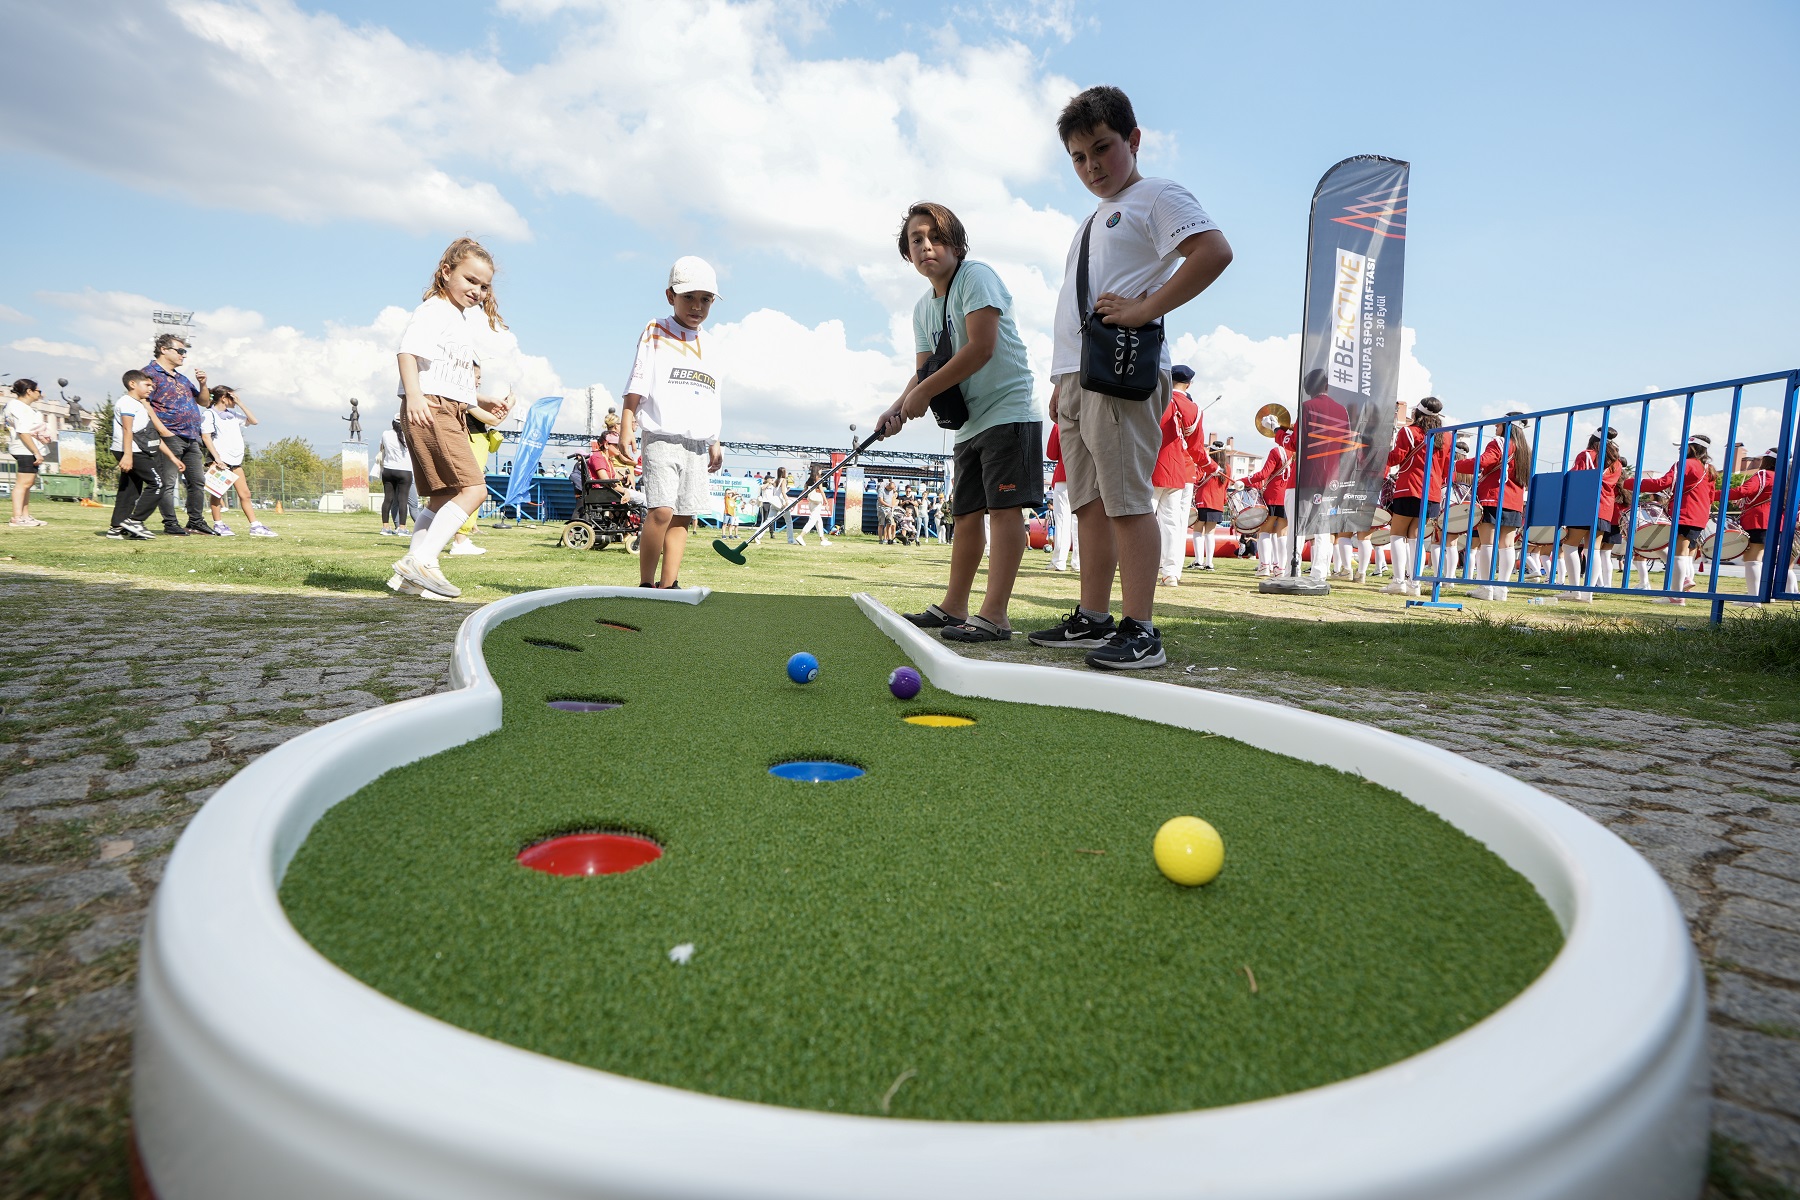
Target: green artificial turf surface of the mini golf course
[980,911]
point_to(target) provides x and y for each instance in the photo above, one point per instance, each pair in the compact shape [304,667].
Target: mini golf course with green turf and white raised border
[388,956]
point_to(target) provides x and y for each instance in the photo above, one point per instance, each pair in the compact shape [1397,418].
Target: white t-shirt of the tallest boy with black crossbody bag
[1131,251]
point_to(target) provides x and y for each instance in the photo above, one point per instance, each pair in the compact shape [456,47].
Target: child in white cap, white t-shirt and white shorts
[674,399]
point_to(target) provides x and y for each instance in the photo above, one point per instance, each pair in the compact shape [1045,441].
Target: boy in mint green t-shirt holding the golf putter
[1000,451]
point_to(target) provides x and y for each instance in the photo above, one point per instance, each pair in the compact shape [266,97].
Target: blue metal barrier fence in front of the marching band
[1570,499]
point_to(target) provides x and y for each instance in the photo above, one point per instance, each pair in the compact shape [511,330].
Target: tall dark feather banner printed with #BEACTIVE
[1351,345]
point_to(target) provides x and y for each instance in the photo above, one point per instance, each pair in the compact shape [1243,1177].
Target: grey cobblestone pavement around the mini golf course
[114,733]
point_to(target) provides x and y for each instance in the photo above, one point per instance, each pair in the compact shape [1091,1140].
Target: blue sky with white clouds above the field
[1603,195]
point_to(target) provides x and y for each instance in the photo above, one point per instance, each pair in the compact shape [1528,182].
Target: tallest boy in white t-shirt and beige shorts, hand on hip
[1137,235]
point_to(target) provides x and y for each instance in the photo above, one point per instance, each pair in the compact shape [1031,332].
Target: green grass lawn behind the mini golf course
[1621,652]
